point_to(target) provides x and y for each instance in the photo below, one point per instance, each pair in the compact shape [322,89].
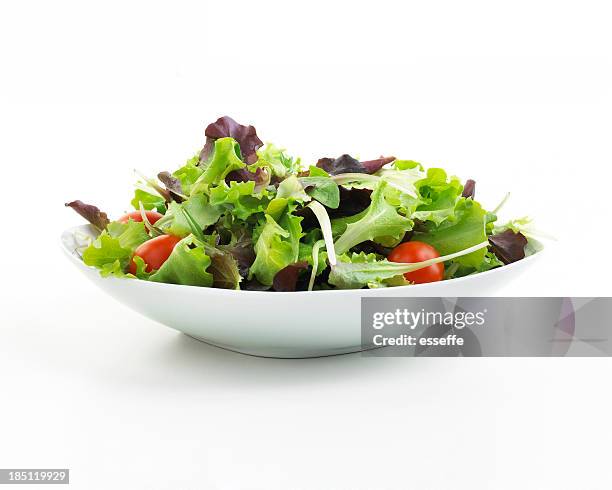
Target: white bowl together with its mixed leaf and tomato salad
[251,249]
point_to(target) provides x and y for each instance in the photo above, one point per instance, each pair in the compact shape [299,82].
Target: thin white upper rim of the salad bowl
[422,288]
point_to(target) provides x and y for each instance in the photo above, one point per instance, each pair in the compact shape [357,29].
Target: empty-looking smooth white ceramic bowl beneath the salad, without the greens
[271,324]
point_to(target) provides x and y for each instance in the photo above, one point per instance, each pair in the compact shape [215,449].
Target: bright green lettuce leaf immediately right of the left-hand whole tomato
[188,265]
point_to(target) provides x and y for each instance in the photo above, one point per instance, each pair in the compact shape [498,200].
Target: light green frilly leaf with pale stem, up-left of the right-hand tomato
[380,219]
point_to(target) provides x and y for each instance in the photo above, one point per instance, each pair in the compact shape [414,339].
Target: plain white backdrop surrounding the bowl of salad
[515,95]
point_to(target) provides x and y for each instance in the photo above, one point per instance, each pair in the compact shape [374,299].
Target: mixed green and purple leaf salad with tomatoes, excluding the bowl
[244,215]
